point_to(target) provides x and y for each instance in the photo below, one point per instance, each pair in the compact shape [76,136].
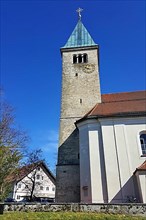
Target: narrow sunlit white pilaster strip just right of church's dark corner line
[111,163]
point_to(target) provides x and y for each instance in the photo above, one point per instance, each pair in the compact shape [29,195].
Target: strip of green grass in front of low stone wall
[64,216]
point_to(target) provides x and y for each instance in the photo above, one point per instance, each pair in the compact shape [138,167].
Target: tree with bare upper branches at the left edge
[12,143]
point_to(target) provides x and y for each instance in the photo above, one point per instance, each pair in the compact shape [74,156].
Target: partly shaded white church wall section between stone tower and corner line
[90,167]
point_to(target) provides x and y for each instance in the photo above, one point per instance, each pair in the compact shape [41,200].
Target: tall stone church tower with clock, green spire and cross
[80,93]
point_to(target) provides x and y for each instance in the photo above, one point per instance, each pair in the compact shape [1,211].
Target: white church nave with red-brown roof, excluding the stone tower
[111,150]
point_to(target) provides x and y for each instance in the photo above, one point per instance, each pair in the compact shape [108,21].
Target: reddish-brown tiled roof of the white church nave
[119,104]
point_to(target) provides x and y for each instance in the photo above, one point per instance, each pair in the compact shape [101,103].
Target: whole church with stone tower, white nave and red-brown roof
[102,143]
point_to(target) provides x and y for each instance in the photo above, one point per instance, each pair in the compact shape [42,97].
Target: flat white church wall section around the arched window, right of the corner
[122,155]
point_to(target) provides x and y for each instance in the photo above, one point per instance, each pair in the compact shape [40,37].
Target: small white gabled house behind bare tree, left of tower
[35,179]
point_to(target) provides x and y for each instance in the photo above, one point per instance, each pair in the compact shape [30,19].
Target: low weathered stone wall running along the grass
[127,209]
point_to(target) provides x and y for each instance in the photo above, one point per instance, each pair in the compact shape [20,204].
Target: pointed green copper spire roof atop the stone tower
[79,37]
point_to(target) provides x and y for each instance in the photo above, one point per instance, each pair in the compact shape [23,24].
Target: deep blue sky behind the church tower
[32,33]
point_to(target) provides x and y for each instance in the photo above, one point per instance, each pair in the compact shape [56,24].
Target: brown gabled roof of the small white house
[22,172]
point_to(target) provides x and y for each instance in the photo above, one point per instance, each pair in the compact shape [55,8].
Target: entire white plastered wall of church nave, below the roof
[121,156]
